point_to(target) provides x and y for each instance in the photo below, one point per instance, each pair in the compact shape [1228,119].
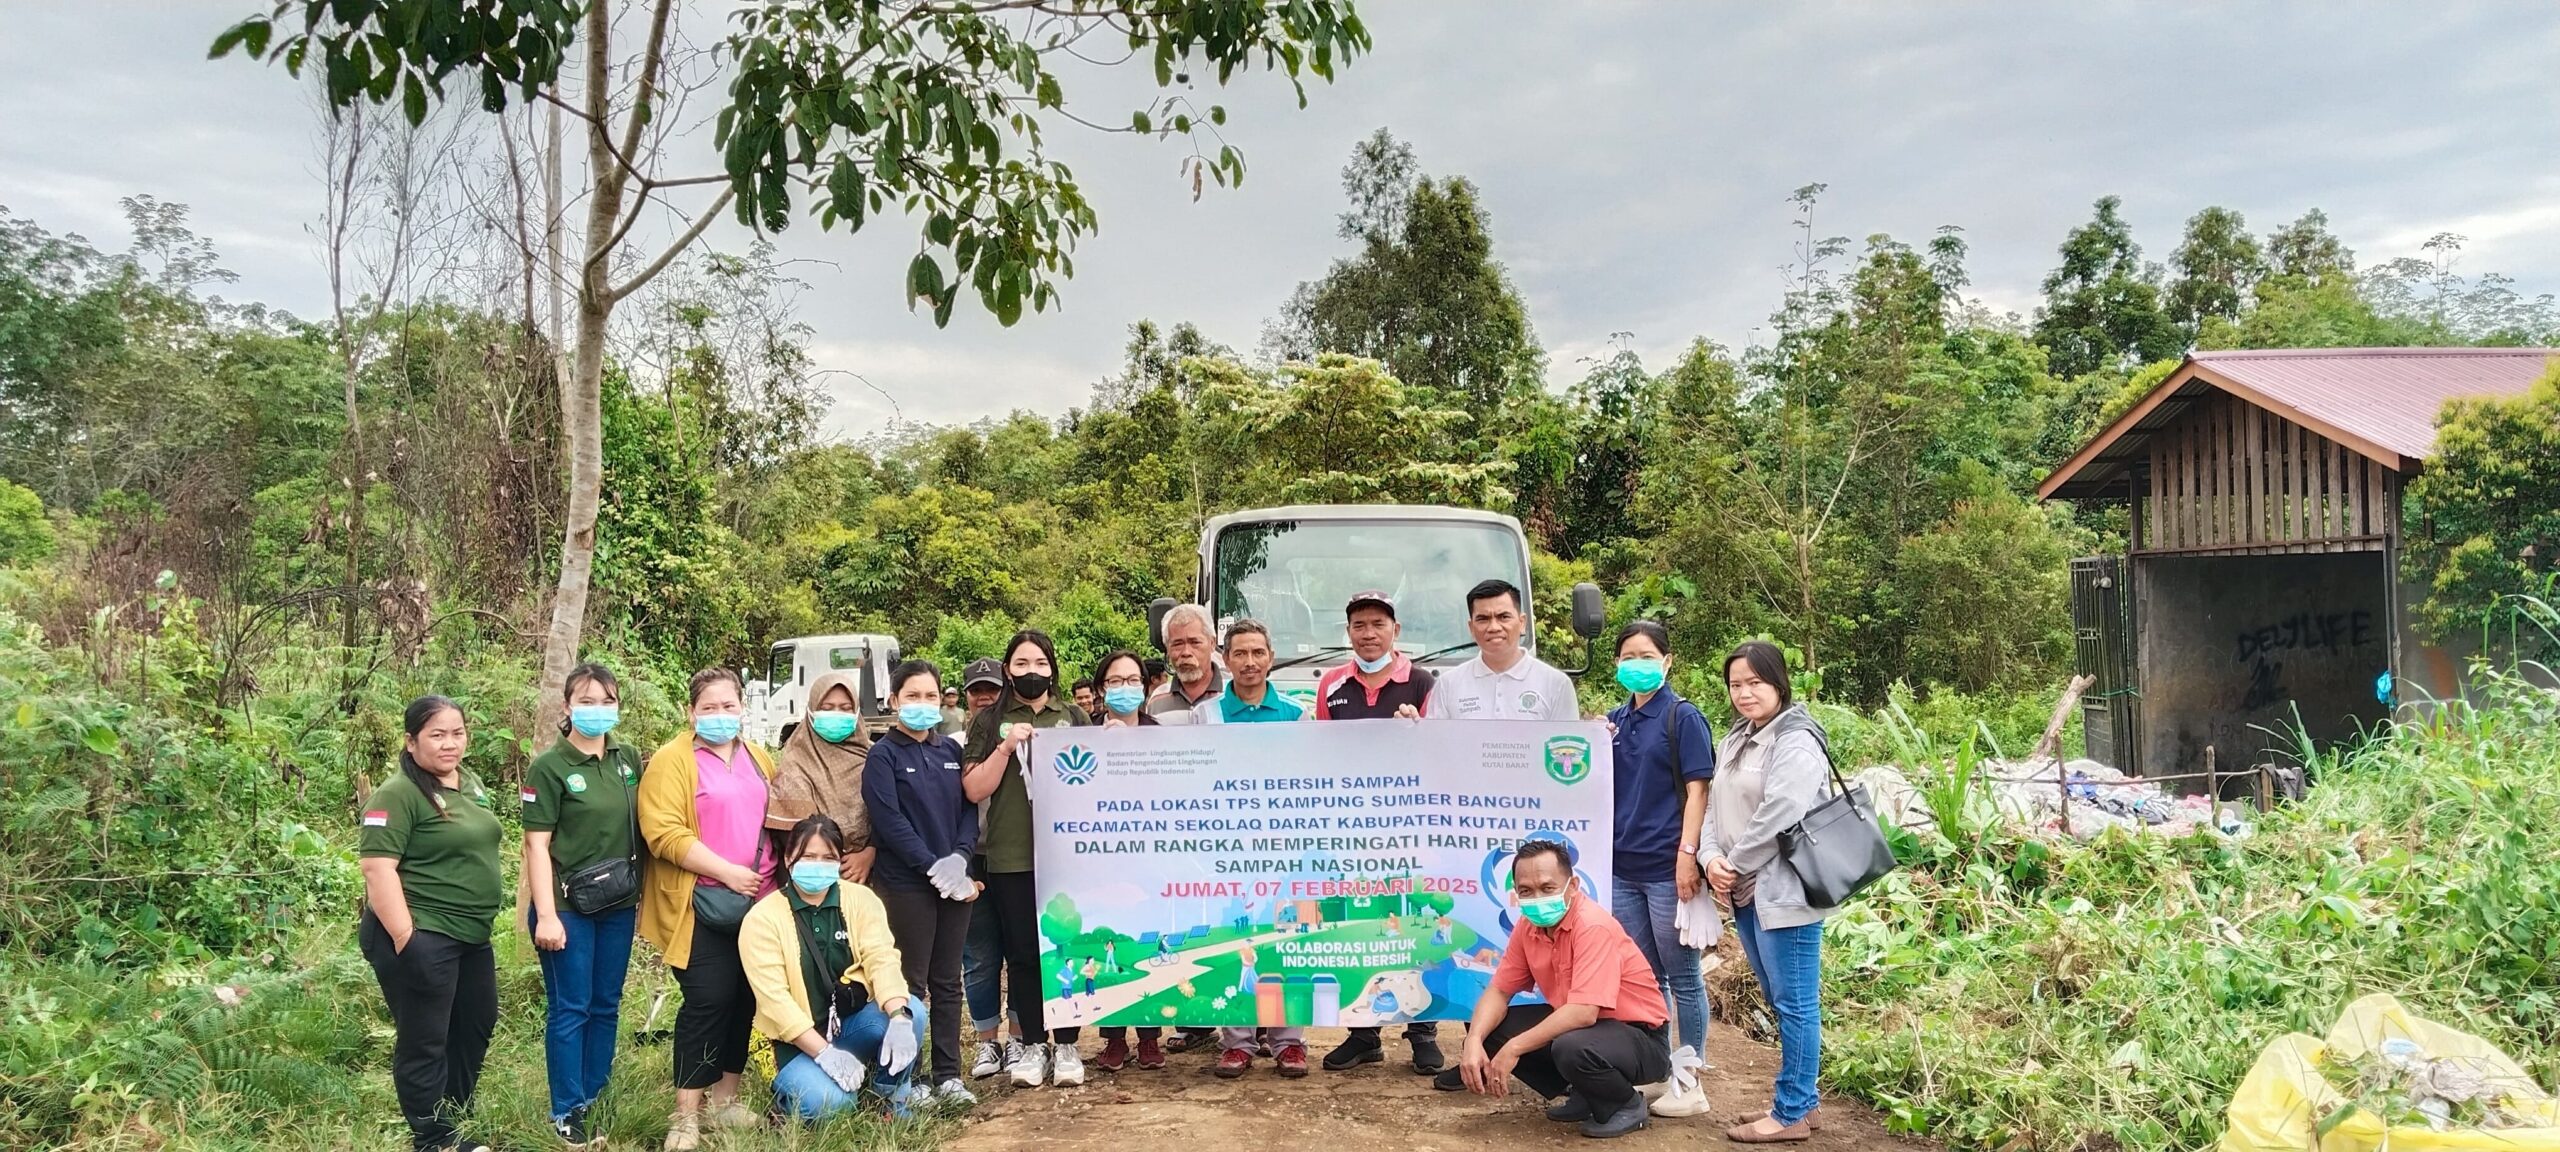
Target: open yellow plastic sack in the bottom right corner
[2285,1097]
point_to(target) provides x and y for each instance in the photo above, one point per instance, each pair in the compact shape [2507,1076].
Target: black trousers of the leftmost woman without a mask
[444,1010]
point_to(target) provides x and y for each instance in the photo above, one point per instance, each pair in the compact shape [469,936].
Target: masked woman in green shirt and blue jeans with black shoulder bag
[582,872]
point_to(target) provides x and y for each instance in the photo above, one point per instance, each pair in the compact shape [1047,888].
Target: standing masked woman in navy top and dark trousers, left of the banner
[925,833]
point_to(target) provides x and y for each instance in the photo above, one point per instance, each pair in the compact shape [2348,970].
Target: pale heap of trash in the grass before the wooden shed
[2031,797]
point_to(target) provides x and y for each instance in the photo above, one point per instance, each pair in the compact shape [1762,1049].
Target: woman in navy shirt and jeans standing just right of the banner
[1665,756]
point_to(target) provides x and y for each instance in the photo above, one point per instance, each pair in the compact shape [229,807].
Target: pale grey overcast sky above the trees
[1635,160]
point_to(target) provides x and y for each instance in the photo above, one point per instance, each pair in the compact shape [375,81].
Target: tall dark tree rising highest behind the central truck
[1425,296]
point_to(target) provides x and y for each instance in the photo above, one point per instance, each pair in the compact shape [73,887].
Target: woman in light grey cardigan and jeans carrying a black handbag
[1768,774]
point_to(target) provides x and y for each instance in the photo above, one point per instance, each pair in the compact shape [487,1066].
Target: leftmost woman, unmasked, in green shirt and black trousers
[431,887]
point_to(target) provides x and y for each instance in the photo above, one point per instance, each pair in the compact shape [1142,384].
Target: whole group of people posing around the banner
[833,892]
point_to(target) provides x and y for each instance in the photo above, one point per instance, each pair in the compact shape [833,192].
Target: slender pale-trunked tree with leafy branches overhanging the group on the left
[931,109]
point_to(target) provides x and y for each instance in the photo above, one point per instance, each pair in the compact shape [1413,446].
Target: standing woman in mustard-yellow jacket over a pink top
[703,815]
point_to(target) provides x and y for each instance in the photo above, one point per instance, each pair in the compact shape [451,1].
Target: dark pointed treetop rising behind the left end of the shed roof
[2103,303]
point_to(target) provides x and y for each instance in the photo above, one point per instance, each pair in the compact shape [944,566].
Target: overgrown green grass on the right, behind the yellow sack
[2113,995]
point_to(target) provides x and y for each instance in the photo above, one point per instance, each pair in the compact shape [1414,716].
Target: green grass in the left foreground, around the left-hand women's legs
[119,1061]
